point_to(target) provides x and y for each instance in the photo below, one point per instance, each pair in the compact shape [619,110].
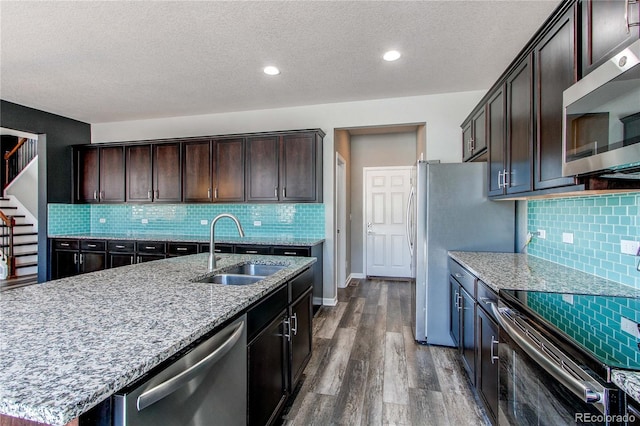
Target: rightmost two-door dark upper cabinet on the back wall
[285,168]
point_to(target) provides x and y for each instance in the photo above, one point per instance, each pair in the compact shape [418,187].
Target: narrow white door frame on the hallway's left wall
[341,221]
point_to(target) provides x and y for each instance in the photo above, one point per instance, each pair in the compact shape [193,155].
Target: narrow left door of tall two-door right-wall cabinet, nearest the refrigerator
[496,125]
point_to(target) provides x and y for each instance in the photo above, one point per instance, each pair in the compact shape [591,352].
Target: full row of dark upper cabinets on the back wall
[276,167]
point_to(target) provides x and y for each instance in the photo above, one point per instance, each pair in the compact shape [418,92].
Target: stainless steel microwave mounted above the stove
[601,120]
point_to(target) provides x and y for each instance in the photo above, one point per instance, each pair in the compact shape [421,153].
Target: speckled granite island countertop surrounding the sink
[68,344]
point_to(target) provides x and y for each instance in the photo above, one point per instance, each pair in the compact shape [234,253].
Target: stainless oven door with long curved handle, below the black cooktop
[539,385]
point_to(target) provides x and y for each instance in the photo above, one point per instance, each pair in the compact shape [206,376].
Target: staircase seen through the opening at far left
[25,240]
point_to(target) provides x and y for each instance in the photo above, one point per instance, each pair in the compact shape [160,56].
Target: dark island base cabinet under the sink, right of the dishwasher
[279,348]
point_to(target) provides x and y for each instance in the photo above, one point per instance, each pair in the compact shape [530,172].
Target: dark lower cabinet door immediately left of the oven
[488,365]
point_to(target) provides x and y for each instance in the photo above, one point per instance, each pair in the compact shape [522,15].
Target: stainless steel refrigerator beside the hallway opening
[449,210]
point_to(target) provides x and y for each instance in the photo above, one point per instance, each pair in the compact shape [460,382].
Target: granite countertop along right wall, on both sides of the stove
[518,271]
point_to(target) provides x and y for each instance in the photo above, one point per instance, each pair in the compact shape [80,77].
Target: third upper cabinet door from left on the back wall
[139,187]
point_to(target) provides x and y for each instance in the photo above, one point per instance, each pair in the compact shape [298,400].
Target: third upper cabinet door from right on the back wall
[229,170]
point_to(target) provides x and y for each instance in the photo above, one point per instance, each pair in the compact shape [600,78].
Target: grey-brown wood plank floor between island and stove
[367,369]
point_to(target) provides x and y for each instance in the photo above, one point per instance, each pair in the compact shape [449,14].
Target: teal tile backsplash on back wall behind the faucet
[258,220]
